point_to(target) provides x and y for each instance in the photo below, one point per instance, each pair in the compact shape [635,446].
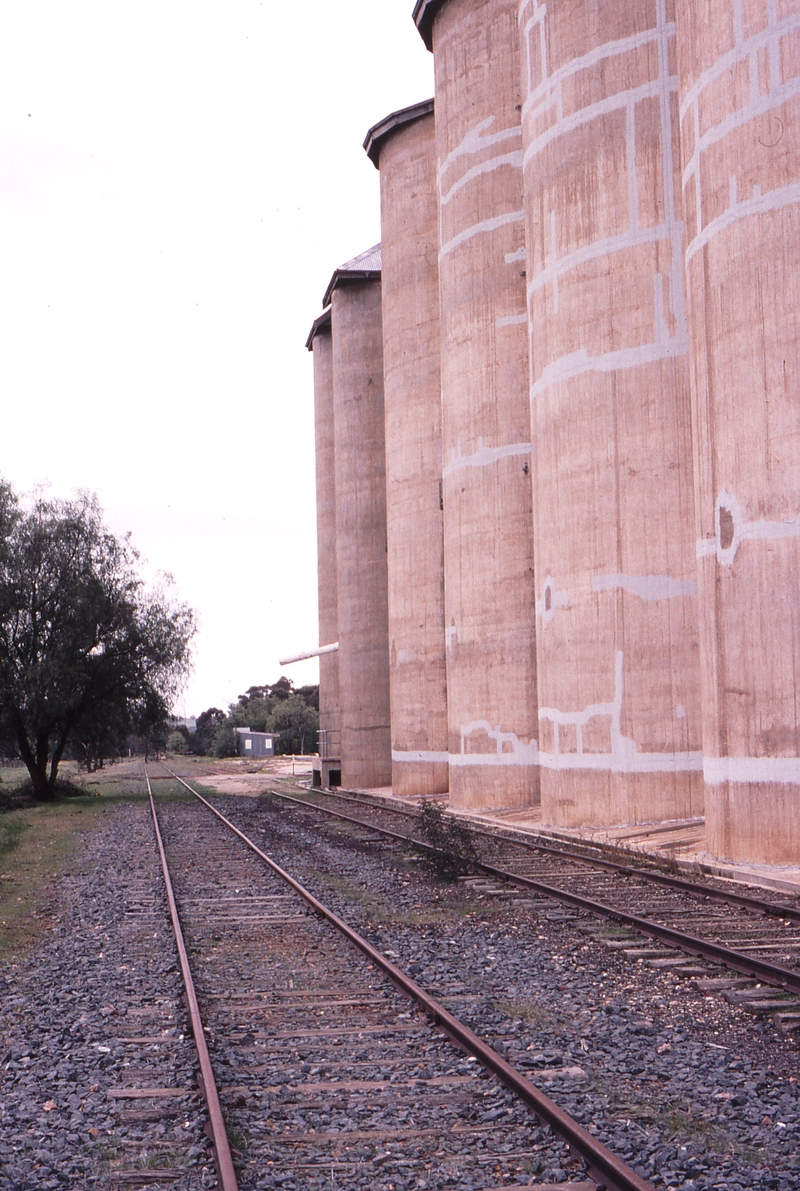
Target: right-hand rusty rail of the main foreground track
[611,1174]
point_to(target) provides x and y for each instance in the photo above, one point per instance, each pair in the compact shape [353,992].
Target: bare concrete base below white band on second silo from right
[592,799]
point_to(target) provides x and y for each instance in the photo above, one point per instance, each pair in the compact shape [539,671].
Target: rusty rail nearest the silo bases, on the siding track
[724,897]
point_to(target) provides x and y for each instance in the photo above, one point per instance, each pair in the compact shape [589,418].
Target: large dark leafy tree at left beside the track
[86,652]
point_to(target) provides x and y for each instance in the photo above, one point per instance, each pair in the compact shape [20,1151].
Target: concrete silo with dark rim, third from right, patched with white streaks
[485,414]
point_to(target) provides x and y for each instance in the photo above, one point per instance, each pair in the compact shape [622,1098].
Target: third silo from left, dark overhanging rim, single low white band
[403,147]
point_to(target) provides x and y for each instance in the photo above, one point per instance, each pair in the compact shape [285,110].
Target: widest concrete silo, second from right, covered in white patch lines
[614,498]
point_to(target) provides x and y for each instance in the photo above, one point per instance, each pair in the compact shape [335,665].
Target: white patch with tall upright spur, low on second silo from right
[624,756]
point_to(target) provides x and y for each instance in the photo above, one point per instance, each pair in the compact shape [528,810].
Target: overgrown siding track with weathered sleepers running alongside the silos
[755,940]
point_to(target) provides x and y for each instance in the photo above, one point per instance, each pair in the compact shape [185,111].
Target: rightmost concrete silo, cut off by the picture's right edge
[740,96]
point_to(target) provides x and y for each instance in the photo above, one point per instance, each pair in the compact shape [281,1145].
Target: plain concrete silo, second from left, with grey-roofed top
[361,534]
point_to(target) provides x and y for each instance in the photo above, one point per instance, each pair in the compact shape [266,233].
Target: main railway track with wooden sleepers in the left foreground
[335,1069]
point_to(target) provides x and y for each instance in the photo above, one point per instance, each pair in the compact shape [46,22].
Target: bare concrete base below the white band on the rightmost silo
[754,822]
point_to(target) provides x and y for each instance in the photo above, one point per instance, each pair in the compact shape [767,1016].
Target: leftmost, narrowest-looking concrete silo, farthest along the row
[327,570]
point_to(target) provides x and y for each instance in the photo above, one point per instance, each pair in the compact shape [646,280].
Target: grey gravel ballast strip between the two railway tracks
[666,1063]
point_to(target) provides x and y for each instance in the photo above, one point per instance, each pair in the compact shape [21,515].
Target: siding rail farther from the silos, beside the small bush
[760,970]
